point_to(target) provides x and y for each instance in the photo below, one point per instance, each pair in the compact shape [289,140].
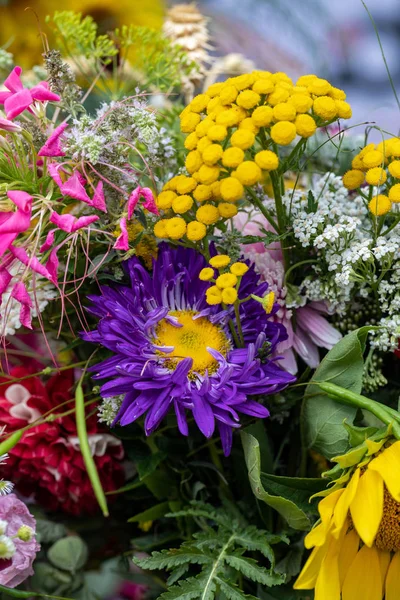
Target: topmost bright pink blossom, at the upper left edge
[18,98]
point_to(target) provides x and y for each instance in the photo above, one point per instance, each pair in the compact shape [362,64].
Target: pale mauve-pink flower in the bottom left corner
[16,569]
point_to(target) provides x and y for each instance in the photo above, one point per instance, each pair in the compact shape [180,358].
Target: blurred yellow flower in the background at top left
[20,29]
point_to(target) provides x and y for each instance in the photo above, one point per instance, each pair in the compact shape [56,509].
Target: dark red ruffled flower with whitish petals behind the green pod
[47,462]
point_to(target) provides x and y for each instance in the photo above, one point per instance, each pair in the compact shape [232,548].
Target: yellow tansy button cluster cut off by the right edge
[378,166]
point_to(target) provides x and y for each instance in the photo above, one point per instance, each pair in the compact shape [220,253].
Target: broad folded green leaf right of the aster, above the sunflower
[323,417]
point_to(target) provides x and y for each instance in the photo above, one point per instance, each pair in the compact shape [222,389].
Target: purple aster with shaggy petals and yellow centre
[171,350]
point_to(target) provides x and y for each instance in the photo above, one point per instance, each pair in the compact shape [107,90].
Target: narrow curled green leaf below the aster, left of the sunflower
[295,516]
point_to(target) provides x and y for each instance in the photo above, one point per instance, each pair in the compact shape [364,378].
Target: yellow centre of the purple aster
[191,340]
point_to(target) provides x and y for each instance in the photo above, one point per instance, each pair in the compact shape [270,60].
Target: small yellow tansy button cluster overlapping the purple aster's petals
[226,283]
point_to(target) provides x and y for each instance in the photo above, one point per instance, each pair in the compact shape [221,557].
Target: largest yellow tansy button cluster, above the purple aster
[234,132]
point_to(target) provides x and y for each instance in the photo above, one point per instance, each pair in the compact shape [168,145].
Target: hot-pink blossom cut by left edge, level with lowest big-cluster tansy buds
[13,223]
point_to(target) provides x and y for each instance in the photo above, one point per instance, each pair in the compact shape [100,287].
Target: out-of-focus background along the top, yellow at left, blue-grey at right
[334,39]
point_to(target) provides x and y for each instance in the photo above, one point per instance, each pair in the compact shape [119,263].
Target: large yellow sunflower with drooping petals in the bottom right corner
[356,544]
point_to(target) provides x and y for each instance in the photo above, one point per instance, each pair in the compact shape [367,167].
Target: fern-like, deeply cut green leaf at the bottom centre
[221,549]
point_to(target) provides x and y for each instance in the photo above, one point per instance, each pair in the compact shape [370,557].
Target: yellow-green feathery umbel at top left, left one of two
[78,36]
